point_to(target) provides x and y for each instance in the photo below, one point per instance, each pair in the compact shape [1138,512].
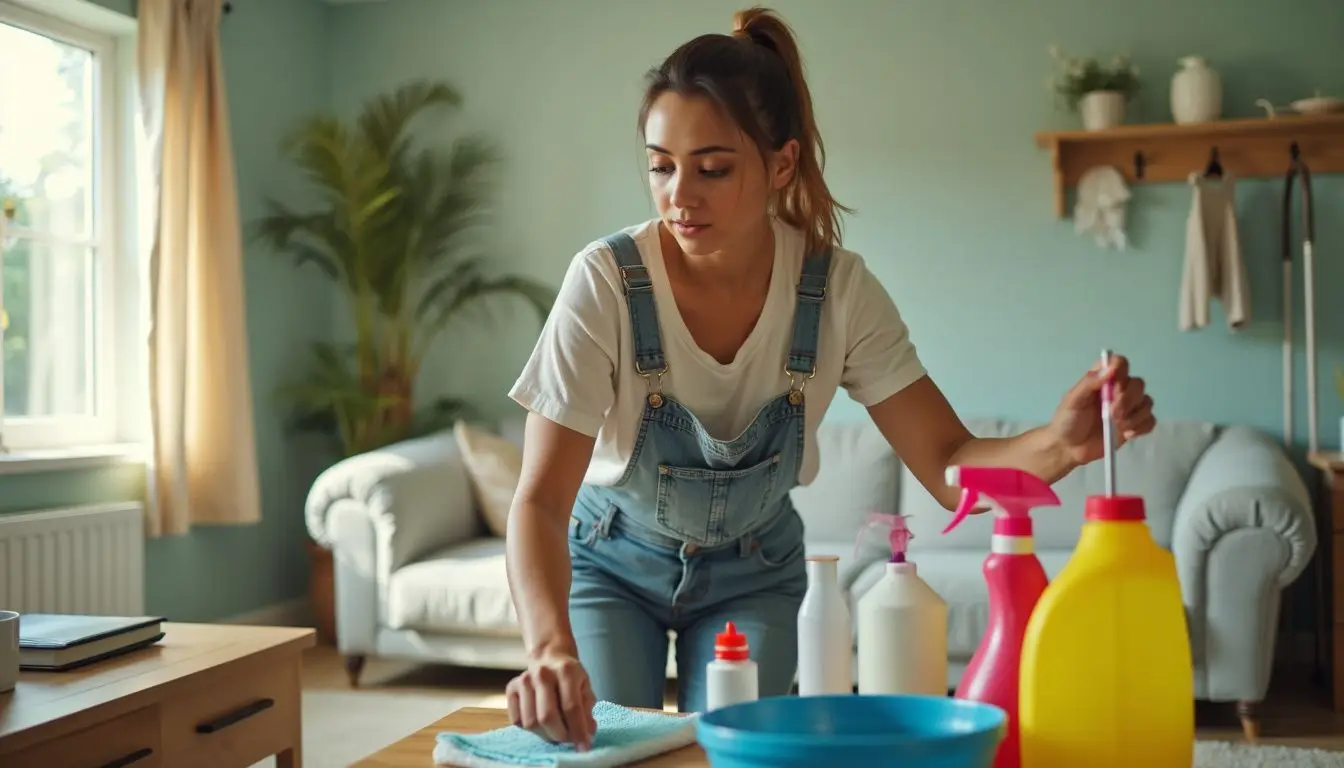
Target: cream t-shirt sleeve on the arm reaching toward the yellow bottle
[881,358]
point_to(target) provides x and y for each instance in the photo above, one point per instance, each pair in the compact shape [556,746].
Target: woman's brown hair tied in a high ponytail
[756,76]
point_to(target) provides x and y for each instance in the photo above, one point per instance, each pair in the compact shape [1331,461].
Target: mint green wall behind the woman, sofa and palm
[929,123]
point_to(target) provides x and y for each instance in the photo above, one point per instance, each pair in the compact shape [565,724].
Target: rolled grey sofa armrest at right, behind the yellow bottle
[1244,532]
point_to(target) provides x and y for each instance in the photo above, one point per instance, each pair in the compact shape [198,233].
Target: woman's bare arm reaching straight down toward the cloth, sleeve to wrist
[537,548]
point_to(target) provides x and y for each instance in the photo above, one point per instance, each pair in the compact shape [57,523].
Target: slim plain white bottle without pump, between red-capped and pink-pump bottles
[826,634]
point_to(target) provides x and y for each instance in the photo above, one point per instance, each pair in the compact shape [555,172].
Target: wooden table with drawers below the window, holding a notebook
[208,696]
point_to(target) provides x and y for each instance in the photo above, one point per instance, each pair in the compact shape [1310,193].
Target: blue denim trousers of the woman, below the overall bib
[631,587]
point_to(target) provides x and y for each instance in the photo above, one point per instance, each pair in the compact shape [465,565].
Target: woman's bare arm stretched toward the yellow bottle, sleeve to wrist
[929,436]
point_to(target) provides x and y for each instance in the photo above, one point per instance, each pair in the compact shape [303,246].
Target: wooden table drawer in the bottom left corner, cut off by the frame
[131,740]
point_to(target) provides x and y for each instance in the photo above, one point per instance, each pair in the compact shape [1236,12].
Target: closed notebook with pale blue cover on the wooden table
[56,642]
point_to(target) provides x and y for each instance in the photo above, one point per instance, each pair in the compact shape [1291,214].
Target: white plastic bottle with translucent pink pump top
[902,630]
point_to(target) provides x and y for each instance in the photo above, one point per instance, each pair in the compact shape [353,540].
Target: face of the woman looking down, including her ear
[706,176]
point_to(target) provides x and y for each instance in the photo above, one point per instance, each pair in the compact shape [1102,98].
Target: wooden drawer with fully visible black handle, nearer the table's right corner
[237,719]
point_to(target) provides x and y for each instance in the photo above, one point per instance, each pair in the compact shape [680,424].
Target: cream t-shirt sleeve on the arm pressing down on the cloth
[571,376]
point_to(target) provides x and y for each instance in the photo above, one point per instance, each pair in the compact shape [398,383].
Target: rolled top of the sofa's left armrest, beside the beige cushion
[416,494]
